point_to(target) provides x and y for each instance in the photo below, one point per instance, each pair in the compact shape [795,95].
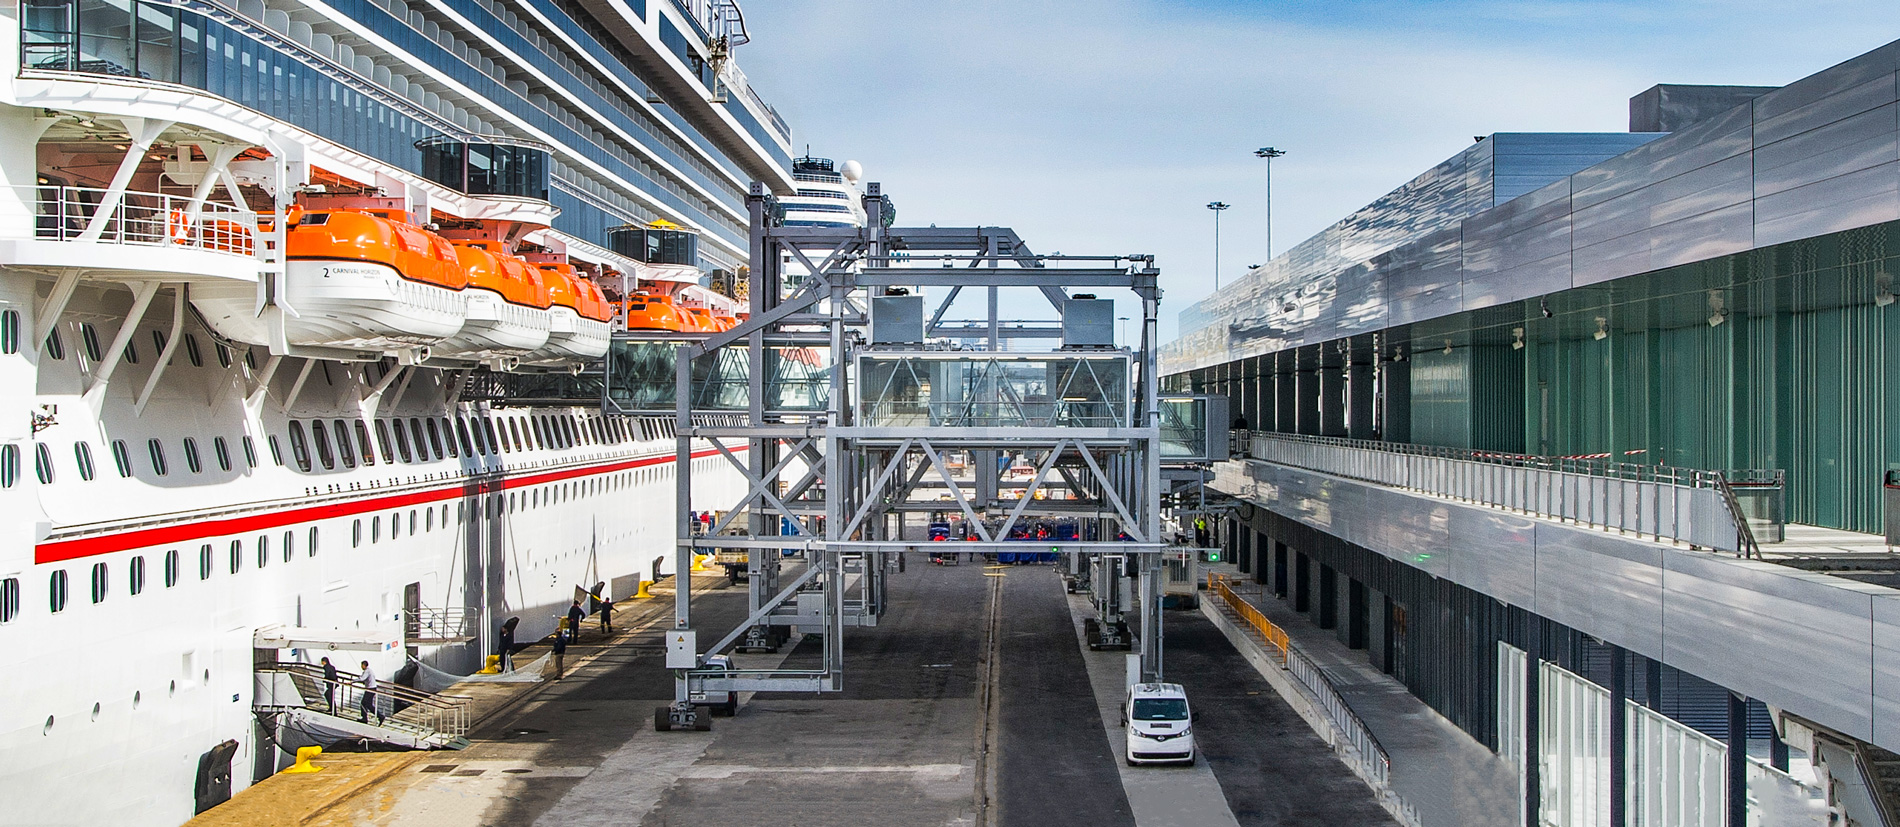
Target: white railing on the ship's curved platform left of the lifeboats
[153,220]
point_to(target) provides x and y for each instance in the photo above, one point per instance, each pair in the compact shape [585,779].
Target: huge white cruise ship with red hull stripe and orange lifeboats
[263,267]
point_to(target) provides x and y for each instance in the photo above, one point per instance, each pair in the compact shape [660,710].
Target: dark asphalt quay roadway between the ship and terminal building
[955,712]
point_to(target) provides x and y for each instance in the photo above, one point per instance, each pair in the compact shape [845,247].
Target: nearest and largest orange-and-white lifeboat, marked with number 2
[358,277]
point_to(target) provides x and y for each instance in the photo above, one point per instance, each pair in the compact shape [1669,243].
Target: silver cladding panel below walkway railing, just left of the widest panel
[1625,596]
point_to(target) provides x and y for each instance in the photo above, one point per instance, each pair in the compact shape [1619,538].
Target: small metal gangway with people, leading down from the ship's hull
[411,718]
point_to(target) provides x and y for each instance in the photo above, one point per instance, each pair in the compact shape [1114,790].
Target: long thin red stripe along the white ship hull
[90,547]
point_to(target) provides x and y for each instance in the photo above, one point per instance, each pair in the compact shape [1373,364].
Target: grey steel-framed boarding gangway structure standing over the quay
[867,421]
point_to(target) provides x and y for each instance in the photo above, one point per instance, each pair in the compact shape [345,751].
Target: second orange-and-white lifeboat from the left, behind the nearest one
[508,307]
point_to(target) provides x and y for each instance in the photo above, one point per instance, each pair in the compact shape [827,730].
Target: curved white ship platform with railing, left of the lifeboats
[130,237]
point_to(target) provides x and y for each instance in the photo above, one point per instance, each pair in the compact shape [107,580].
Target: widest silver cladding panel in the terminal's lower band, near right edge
[1787,638]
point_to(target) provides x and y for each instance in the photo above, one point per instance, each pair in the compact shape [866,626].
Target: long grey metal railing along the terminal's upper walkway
[1660,503]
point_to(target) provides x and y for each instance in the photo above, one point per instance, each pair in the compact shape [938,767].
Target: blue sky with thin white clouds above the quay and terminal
[1107,126]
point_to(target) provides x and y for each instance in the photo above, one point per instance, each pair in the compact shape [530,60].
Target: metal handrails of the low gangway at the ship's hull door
[400,708]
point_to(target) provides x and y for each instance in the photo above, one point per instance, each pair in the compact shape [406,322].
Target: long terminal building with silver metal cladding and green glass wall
[1591,442]
